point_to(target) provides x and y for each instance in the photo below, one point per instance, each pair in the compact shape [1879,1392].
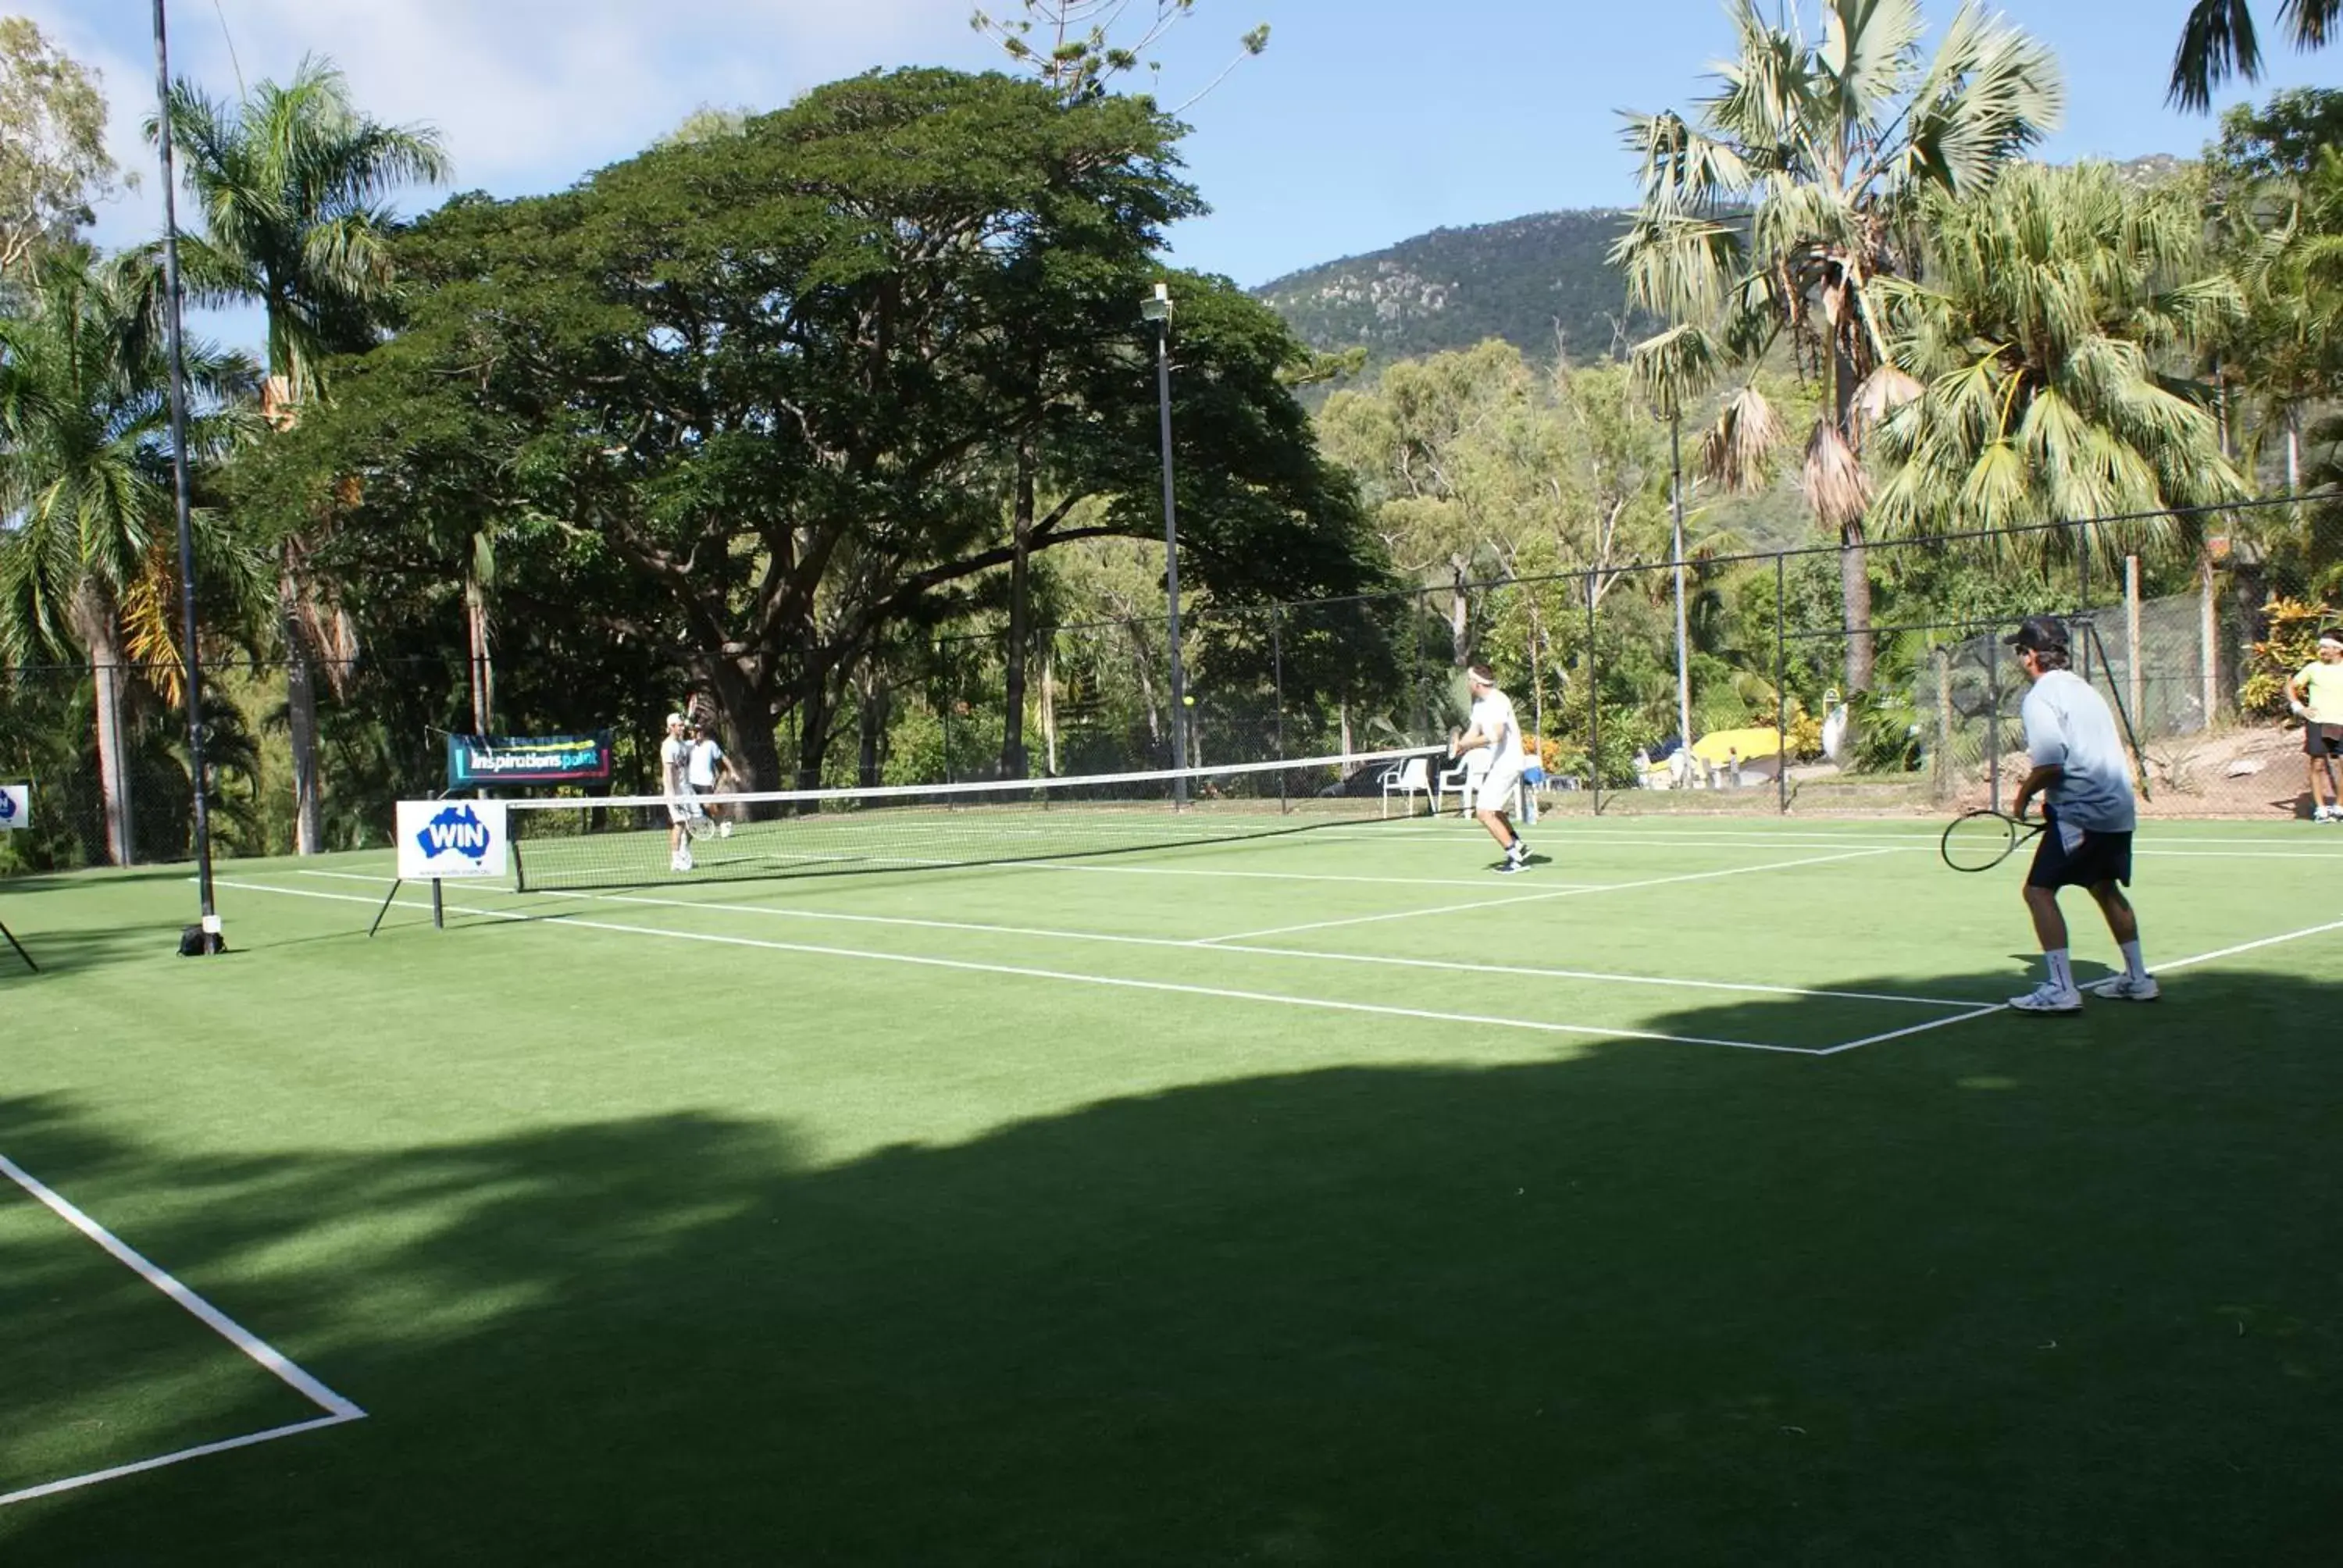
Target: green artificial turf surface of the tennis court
[997,1218]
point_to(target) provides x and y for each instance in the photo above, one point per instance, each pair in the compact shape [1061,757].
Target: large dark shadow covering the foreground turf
[2007,1293]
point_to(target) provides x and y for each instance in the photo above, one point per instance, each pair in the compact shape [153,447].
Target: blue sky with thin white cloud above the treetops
[1365,123]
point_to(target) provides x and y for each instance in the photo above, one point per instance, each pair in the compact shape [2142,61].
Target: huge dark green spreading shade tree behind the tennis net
[779,376]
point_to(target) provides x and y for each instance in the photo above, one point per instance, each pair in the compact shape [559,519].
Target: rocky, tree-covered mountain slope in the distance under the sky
[1526,280]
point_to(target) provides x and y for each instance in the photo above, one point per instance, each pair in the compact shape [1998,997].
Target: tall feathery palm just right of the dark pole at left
[292,184]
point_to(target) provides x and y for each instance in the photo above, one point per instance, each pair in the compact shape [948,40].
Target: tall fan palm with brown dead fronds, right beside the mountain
[1775,210]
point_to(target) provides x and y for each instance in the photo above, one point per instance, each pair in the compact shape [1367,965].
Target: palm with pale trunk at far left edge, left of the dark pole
[86,477]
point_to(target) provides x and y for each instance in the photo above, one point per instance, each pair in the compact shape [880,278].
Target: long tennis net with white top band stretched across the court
[899,829]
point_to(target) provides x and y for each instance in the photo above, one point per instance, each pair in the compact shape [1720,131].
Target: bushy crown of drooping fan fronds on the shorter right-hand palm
[2040,341]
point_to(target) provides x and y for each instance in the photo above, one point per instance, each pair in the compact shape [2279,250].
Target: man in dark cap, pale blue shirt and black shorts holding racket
[2082,772]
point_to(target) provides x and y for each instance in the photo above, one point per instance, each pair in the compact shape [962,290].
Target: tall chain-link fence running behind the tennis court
[1765,702]
